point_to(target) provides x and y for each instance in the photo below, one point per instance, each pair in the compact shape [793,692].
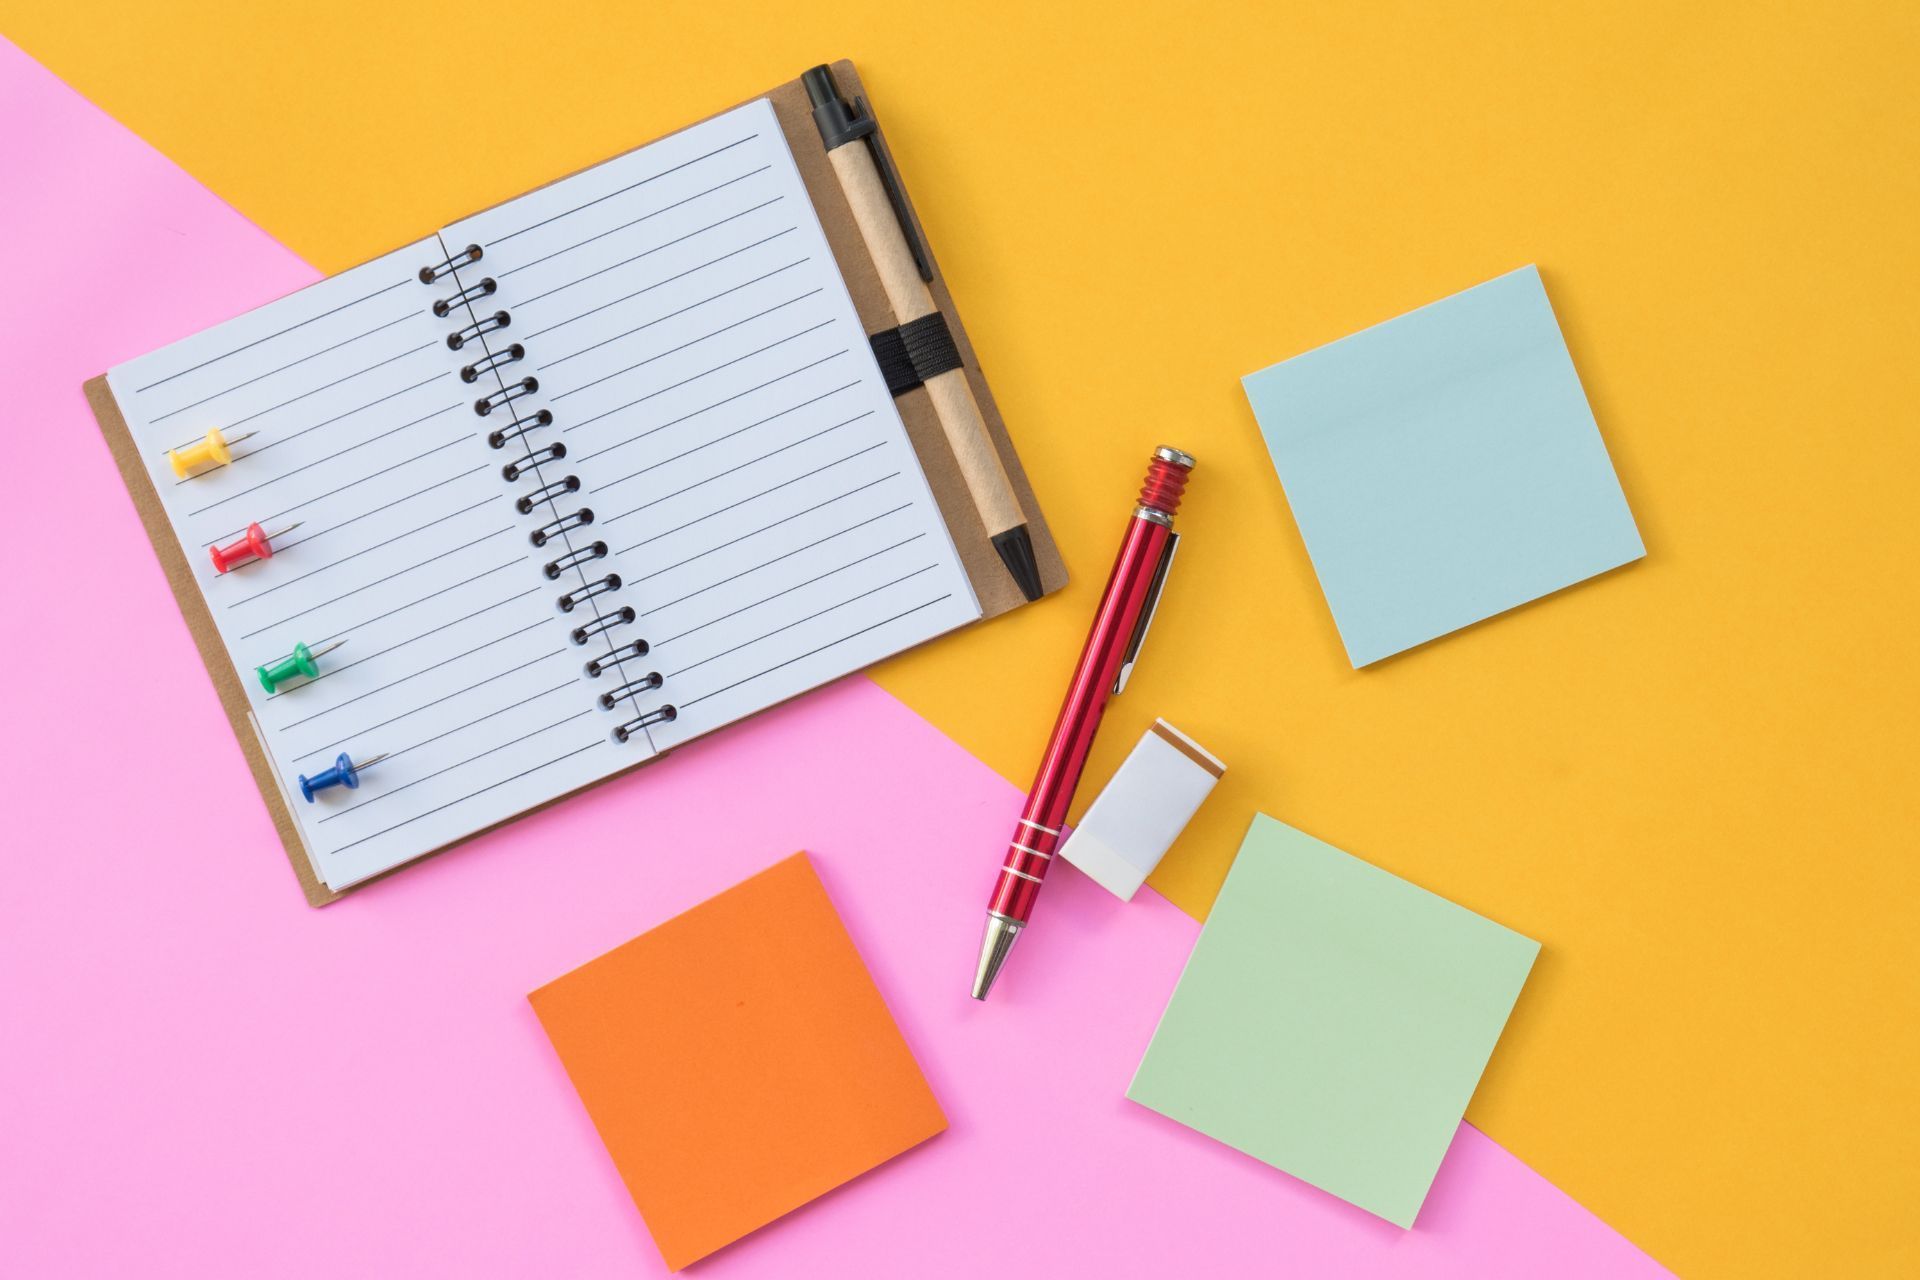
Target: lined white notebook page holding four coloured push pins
[408,548]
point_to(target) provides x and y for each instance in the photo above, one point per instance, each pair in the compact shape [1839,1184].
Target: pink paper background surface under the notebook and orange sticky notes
[201,1076]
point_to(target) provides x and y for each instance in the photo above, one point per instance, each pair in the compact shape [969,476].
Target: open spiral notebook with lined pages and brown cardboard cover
[571,483]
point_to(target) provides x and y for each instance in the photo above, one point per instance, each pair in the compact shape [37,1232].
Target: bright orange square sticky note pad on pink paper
[738,1062]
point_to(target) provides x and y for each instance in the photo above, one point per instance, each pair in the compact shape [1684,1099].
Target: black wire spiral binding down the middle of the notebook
[491,362]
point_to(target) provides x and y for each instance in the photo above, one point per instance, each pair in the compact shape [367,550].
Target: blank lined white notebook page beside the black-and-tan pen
[721,406]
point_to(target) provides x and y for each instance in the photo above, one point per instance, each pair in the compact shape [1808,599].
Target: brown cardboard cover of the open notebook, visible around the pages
[992,586]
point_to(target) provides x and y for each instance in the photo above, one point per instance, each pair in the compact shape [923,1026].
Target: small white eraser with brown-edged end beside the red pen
[1143,809]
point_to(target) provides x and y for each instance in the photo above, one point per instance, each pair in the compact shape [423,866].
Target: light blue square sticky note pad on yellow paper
[1445,467]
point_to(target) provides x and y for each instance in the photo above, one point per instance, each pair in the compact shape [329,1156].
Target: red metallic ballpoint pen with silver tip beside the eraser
[1118,630]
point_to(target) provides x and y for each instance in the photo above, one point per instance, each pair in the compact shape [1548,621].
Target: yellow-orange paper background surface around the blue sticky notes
[1691,780]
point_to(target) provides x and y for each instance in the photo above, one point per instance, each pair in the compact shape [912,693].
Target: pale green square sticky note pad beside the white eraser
[1333,1020]
